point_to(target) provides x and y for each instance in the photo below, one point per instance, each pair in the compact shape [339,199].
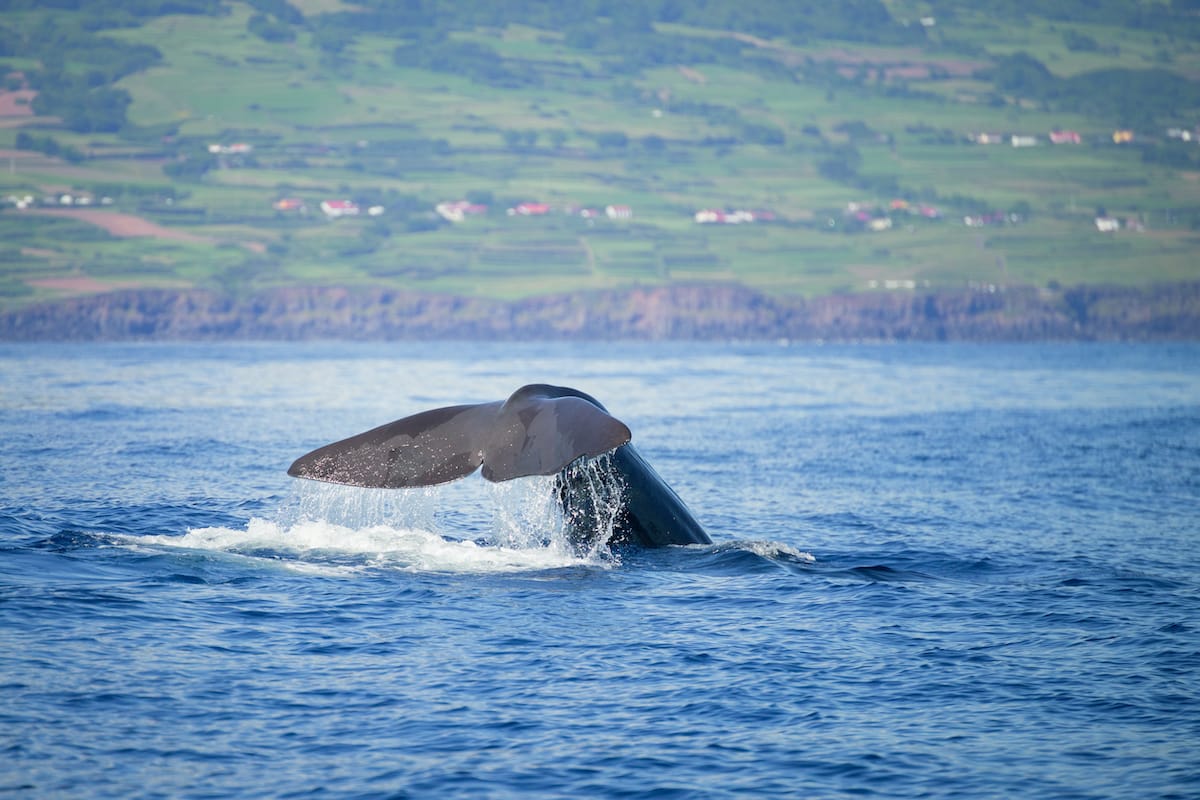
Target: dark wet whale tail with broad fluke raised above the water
[539,430]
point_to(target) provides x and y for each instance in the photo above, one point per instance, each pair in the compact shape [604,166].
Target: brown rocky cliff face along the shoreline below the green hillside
[670,312]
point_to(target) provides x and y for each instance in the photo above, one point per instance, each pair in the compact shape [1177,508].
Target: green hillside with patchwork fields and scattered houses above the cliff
[171,143]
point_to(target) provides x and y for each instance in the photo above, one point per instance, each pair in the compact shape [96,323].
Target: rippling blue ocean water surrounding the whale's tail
[938,572]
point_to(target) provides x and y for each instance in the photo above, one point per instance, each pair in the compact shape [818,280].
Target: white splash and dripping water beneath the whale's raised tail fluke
[461,527]
